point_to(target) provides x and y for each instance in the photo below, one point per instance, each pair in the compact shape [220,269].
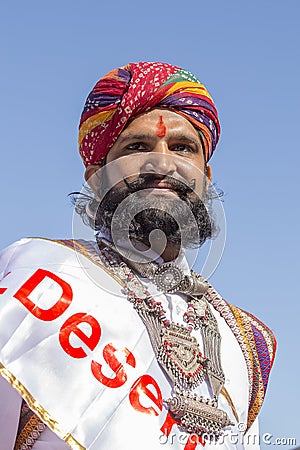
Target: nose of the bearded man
[160,160]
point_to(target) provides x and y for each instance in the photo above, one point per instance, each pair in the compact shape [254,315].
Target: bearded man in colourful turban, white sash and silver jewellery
[117,343]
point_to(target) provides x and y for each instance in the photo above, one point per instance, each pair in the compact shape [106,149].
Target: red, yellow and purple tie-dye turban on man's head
[129,91]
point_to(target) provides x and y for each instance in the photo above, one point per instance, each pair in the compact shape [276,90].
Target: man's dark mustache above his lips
[146,180]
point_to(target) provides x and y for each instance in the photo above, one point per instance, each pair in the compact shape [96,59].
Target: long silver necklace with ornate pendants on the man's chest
[178,352]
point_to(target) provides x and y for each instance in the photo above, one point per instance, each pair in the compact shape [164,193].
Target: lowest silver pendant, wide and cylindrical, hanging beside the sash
[198,415]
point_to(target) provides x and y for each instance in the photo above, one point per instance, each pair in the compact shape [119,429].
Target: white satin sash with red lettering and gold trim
[79,354]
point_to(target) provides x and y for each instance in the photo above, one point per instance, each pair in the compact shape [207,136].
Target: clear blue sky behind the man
[247,54]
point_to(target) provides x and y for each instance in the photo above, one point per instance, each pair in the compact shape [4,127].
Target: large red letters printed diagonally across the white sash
[140,387]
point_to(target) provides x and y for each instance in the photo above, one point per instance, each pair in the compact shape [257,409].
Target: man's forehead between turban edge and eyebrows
[148,122]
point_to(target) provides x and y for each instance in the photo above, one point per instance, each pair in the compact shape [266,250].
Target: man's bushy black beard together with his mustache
[170,214]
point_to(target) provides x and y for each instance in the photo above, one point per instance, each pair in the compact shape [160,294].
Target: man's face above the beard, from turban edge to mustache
[161,142]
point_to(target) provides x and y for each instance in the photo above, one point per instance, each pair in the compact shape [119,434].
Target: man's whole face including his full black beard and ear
[154,180]
